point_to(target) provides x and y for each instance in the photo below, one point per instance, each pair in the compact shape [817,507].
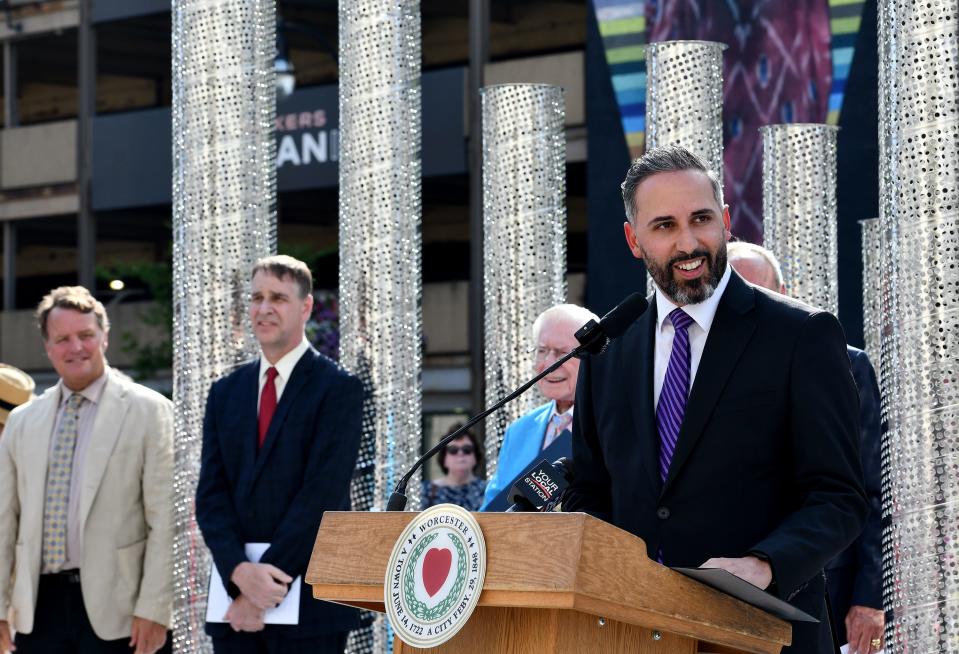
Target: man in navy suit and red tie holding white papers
[280,440]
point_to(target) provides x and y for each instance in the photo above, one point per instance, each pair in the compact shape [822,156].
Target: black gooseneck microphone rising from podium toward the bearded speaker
[593,338]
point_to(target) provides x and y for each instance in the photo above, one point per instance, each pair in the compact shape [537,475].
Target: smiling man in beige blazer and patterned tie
[85,499]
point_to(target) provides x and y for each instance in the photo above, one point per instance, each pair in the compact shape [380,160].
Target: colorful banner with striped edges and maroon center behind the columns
[788,62]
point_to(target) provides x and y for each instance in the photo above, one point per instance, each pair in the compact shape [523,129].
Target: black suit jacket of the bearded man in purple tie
[766,461]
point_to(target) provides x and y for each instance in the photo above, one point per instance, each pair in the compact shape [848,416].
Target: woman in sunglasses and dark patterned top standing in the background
[459,484]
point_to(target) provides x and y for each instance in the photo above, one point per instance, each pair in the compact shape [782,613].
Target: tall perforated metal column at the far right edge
[919,210]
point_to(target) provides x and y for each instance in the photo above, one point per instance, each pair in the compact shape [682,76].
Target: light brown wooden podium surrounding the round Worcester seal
[555,583]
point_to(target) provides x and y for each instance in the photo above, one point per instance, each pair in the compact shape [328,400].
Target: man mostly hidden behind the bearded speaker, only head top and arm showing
[854,578]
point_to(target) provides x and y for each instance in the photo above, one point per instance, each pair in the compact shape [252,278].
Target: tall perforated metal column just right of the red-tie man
[380,270]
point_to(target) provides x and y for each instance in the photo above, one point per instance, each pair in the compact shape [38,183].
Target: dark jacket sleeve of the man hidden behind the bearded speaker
[855,576]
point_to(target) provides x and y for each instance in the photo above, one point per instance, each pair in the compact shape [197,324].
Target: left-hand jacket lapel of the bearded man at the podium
[640,353]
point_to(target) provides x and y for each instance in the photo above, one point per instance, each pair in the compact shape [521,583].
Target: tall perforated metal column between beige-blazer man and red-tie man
[224,197]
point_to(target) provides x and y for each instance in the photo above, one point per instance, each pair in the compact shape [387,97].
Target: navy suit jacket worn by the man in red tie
[278,495]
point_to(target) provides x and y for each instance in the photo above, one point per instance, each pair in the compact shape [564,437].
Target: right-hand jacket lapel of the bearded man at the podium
[730,332]
